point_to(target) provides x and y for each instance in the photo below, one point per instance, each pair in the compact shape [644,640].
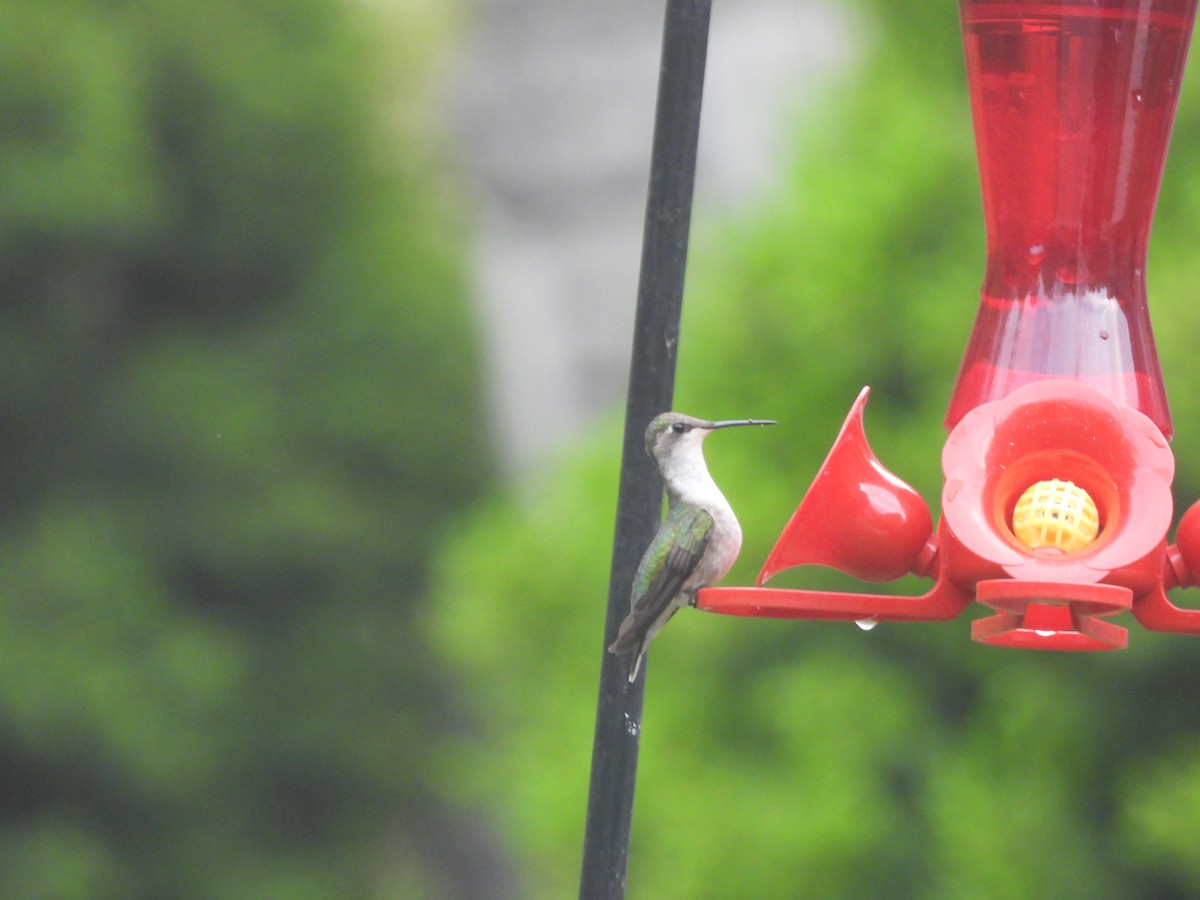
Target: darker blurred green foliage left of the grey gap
[233,321]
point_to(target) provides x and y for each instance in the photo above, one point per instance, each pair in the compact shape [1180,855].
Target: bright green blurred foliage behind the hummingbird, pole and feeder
[809,759]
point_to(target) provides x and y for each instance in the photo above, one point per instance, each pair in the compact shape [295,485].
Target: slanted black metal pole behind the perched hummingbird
[651,392]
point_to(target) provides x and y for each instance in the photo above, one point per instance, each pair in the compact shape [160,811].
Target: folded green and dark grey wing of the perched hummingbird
[669,561]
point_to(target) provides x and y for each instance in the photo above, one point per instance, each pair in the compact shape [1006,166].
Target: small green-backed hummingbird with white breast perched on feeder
[698,542]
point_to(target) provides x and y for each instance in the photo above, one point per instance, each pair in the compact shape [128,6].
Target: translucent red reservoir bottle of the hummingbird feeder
[1073,106]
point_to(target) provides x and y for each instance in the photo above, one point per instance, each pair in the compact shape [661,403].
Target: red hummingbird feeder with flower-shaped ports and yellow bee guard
[1057,501]
